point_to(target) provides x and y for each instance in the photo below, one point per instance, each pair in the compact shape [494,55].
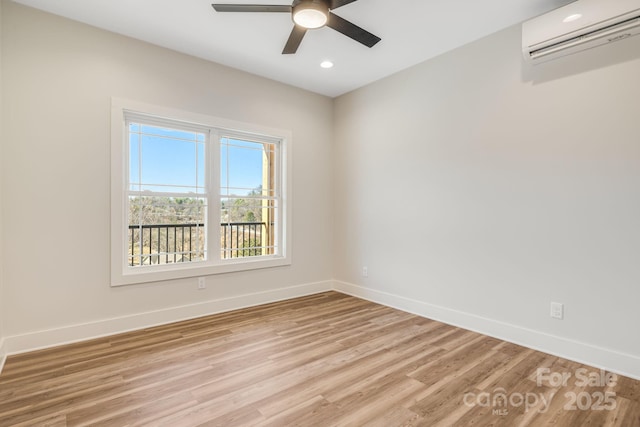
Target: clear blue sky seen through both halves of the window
[177,158]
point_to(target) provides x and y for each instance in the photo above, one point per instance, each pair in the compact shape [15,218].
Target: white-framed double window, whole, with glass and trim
[194,195]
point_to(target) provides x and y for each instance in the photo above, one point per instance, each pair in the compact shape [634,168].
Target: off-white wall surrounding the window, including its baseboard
[59,77]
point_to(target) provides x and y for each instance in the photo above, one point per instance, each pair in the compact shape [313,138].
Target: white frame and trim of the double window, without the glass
[121,272]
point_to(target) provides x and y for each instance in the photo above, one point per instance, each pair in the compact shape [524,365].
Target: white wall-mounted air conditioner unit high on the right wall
[577,26]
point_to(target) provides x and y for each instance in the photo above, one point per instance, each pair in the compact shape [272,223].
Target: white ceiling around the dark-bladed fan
[412,31]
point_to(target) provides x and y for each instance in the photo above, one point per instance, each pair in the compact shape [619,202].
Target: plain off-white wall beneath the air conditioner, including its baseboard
[478,192]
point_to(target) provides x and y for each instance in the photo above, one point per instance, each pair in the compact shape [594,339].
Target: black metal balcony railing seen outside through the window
[173,243]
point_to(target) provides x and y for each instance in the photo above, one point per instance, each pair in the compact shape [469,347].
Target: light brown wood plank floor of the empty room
[322,360]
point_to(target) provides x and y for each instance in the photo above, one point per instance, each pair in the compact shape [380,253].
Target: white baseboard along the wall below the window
[81,332]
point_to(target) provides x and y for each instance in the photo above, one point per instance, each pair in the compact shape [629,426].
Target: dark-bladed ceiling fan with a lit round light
[308,14]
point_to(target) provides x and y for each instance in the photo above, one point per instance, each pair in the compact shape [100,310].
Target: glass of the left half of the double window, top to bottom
[164,227]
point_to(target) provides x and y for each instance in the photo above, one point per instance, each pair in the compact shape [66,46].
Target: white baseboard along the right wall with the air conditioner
[621,363]
